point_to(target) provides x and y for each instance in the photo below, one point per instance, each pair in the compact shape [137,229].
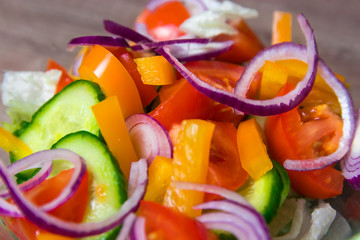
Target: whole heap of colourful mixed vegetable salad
[183,127]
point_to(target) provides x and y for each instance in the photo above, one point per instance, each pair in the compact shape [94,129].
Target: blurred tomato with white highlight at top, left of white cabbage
[162,23]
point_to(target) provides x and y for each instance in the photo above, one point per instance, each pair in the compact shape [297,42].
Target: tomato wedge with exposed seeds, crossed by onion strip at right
[289,137]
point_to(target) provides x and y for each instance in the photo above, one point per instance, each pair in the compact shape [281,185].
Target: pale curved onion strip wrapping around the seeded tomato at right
[348,116]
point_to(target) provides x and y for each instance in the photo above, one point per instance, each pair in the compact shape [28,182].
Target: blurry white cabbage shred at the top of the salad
[213,21]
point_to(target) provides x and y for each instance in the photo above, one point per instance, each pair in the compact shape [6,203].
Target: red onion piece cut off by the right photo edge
[350,165]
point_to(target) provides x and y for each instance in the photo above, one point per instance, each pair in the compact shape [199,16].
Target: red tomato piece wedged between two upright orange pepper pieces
[225,168]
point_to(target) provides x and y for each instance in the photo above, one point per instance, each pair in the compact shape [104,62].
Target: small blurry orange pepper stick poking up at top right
[281,27]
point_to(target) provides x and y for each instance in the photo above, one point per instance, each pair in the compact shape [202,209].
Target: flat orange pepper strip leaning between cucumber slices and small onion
[111,121]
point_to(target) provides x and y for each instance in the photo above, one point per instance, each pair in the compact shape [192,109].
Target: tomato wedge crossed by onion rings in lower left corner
[73,210]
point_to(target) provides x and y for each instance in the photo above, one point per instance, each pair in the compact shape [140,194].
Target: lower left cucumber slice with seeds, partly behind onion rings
[108,187]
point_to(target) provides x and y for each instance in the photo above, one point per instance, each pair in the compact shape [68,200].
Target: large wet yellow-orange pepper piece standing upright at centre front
[190,163]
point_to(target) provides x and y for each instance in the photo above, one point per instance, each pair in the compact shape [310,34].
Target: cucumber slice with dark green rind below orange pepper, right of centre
[265,194]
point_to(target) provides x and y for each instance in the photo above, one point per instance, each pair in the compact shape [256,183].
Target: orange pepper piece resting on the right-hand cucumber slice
[252,150]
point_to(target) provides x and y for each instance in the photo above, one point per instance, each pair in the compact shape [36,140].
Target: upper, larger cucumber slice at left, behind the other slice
[66,112]
